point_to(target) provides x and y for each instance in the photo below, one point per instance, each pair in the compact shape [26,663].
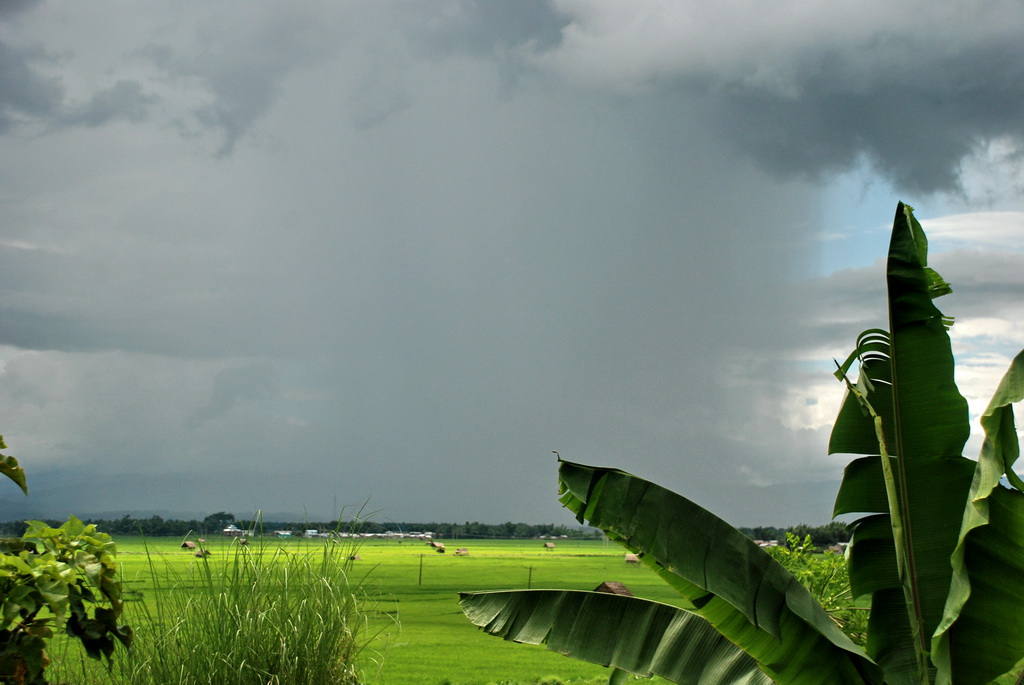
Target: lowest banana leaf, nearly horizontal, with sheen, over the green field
[626,633]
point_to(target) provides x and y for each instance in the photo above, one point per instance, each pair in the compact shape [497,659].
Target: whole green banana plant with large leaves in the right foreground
[938,548]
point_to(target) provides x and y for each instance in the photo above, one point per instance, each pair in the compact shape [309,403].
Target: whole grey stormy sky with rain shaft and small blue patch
[314,258]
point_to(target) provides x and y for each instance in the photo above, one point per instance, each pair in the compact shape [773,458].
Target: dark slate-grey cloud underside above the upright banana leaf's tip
[915,122]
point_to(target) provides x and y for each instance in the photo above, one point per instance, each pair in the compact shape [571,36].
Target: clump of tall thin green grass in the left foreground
[266,617]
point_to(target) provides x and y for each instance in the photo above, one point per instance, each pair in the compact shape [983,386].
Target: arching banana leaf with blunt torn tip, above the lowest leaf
[720,574]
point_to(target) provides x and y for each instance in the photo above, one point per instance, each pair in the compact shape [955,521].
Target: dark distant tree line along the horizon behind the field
[157,527]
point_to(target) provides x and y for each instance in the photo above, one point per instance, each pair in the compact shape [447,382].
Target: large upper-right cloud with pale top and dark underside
[810,90]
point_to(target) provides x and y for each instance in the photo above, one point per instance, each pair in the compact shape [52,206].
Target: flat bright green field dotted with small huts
[412,597]
